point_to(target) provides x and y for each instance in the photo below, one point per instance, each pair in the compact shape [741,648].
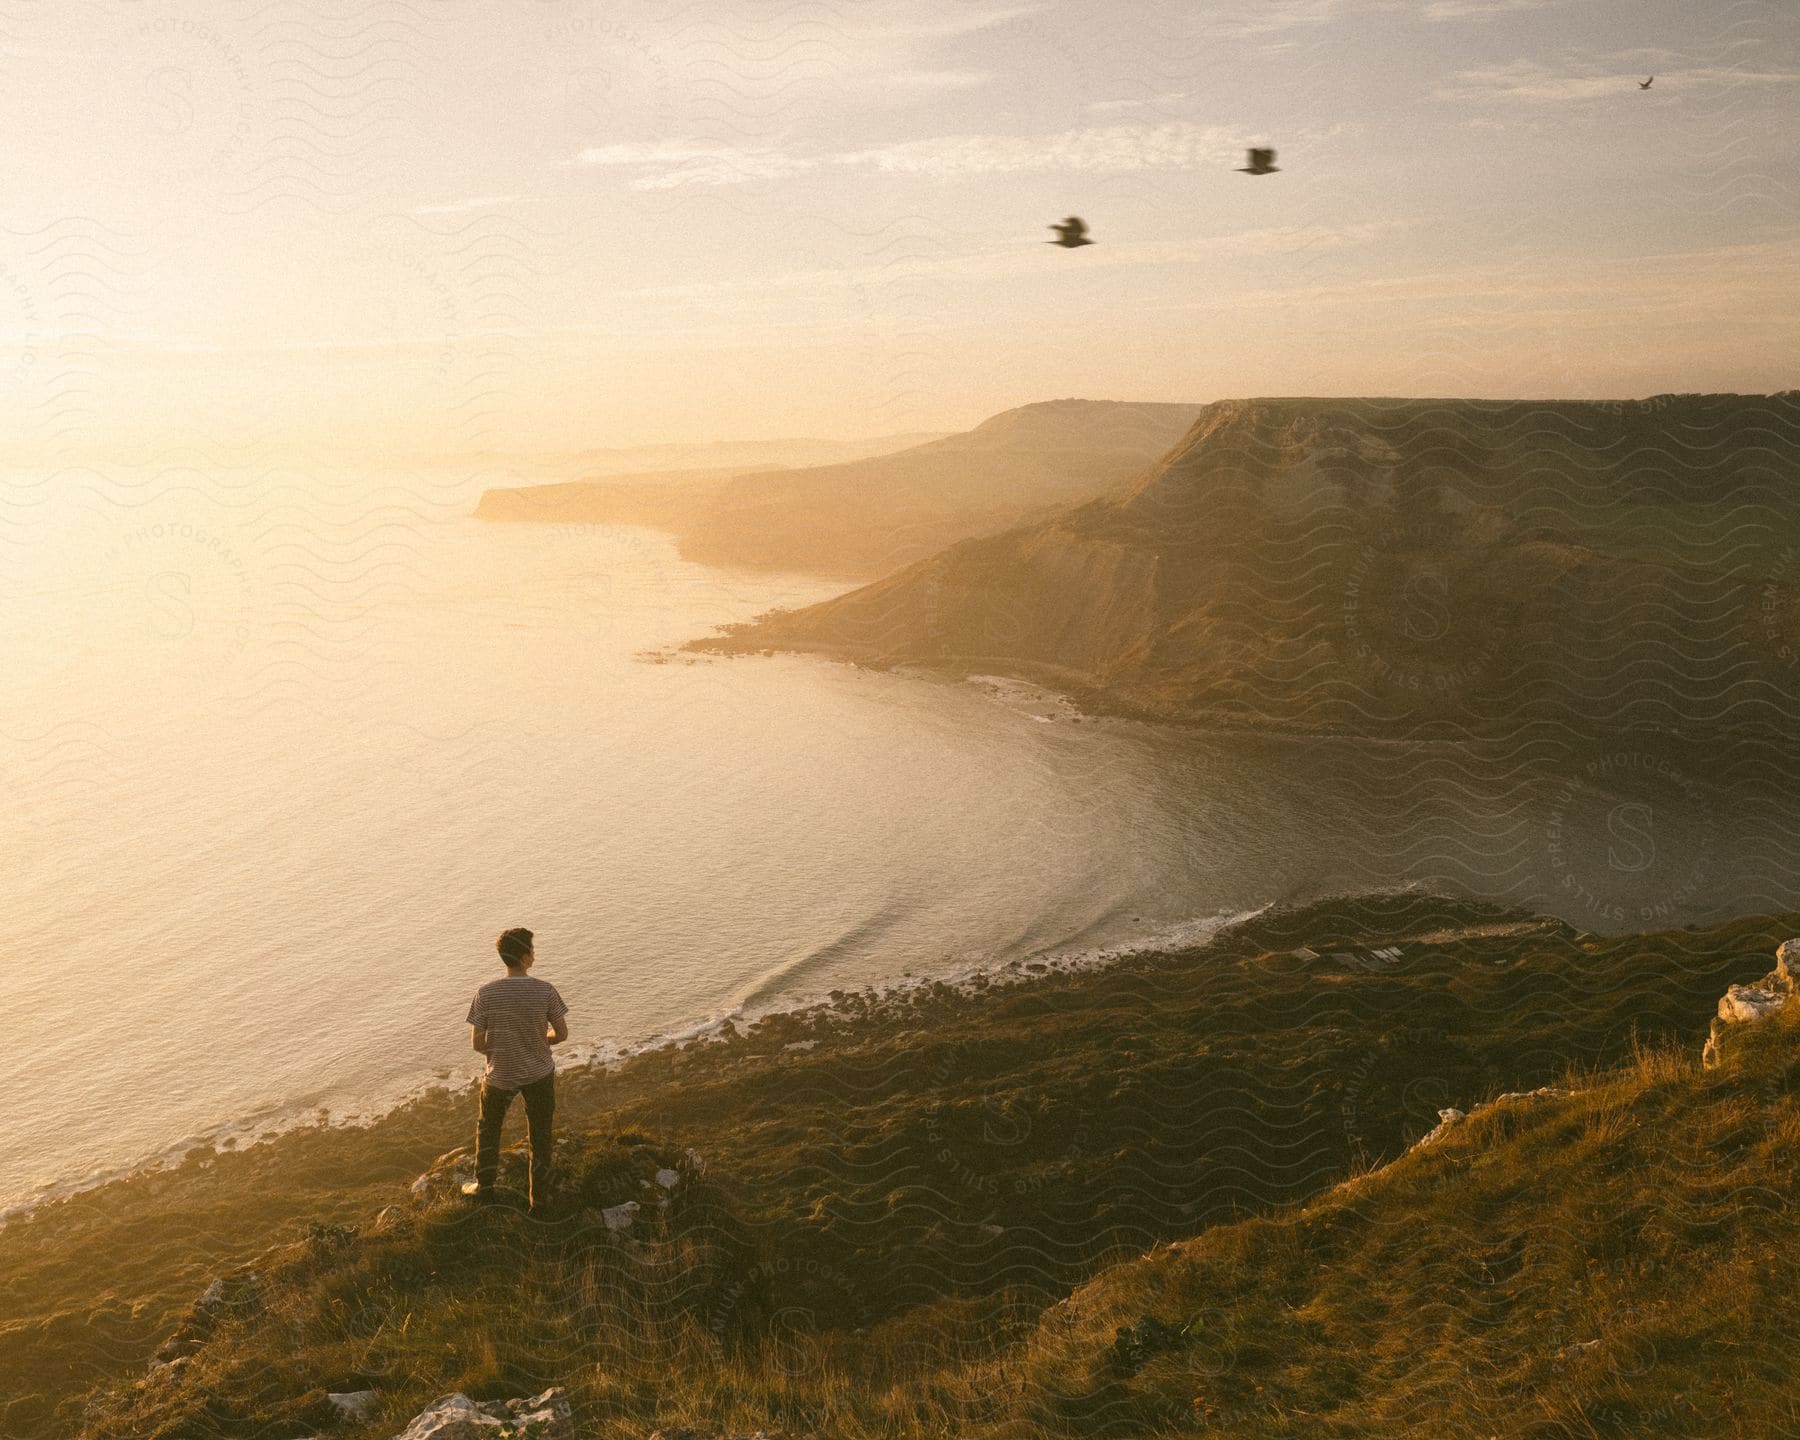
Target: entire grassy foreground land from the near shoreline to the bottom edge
[924,1214]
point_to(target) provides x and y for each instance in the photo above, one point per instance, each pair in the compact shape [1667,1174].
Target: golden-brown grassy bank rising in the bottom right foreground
[1608,1259]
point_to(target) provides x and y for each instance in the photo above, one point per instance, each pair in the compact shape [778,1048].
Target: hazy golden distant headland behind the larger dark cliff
[868,517]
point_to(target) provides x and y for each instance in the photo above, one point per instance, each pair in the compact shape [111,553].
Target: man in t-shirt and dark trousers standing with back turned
[516,1021]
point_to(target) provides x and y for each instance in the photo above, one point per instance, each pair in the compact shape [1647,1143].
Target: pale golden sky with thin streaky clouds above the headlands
[442,228]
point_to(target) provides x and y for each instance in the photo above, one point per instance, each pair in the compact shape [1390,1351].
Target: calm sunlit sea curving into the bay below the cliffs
[283,750]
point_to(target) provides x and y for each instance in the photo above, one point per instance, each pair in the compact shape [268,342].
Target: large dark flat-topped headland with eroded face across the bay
[1392,566]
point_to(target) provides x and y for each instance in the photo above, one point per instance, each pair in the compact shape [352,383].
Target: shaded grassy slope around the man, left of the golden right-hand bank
[895,1196]
